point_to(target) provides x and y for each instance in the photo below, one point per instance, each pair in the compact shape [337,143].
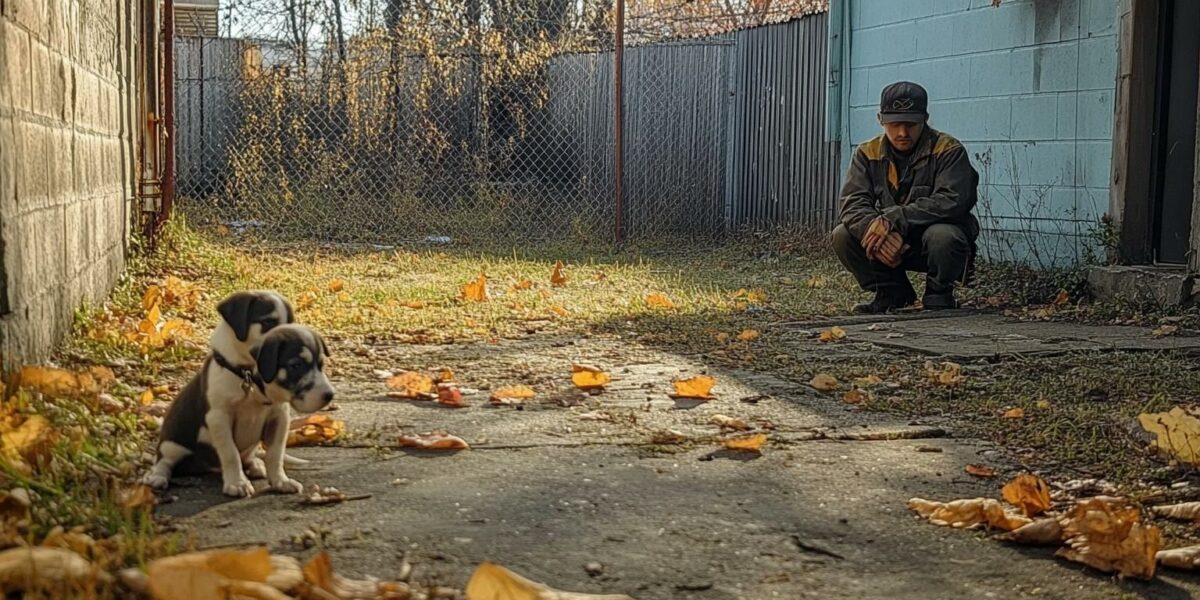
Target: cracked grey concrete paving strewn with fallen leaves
[575,479]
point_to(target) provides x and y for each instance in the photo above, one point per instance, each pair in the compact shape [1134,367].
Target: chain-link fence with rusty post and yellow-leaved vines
[419,123]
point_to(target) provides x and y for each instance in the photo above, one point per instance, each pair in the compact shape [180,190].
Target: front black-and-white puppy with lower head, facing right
[212,429]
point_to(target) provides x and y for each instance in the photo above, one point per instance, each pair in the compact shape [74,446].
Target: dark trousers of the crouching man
[940,250]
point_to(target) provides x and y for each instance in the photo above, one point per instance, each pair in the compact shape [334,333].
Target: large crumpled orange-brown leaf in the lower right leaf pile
[1109,537]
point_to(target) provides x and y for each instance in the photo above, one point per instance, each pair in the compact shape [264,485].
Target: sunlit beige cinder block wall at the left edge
[68,98]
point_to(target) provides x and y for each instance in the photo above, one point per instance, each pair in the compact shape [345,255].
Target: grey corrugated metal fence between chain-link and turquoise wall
[722,134]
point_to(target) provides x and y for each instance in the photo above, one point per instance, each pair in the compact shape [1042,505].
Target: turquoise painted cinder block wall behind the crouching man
[1029,87]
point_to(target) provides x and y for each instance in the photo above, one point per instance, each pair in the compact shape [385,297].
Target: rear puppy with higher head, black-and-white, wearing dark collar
[200,430]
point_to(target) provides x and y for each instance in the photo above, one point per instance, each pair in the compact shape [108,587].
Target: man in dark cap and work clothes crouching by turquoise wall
[907,207]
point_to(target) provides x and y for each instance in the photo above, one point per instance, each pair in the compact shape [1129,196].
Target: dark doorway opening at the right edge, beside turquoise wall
[1175,129]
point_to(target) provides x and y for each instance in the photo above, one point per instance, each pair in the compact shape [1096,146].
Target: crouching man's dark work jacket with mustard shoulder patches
[938,187]
